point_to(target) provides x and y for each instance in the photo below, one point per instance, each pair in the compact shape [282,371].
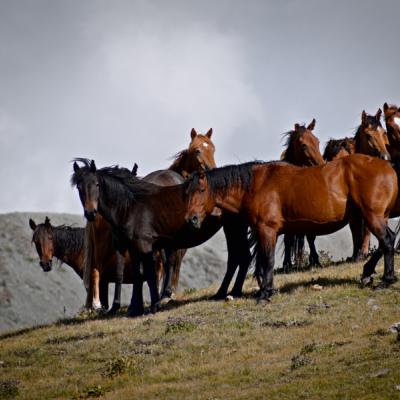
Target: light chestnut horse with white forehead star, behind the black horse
[99,245]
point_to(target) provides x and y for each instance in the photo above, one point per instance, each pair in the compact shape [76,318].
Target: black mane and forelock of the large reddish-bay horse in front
[221,179]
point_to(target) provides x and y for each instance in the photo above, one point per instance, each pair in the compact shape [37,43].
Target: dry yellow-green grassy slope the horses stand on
[332,343]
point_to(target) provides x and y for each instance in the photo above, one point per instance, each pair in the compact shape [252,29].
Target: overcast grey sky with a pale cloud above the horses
[125,81]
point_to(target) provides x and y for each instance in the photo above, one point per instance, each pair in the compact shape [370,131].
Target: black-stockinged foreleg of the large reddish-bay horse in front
[265,260]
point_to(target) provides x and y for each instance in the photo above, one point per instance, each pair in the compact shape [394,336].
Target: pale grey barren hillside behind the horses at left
[29,296]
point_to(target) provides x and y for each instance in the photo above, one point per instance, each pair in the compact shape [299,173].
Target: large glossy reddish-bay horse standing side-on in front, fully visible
[276,198]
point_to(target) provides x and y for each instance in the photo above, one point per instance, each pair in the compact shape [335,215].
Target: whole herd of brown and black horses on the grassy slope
[138,229]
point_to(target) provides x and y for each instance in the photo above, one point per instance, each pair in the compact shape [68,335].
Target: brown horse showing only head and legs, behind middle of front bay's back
[302,149]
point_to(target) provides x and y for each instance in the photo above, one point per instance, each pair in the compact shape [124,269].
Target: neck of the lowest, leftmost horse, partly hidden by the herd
[72,256]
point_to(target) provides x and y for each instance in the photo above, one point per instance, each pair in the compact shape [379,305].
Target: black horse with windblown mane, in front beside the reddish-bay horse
[145,217]
